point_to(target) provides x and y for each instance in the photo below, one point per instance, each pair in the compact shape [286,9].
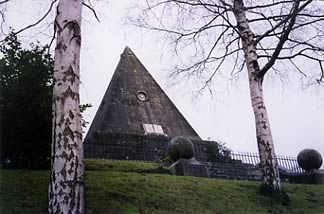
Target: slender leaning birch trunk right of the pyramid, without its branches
[268,160]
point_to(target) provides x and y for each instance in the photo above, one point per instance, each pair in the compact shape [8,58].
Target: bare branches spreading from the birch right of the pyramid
[199,19]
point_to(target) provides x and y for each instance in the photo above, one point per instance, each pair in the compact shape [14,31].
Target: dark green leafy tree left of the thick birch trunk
[25,105]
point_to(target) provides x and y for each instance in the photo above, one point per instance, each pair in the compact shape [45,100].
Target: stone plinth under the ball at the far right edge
[314,176]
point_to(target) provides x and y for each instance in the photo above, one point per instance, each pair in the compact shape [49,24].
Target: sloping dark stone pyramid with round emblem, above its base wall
[135,103]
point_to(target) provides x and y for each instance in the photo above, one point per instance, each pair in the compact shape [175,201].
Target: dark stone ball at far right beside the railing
[309,159]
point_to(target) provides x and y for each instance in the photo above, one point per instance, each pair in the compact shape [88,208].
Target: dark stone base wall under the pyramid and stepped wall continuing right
[153,148]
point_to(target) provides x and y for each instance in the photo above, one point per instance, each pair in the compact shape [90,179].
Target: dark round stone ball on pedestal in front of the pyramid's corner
[180,147]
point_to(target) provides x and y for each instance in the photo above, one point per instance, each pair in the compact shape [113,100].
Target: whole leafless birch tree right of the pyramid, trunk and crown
[259,37]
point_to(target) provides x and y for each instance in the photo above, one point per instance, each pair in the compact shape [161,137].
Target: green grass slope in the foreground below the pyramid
[122,187]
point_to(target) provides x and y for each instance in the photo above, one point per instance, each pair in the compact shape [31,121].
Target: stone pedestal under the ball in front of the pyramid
[189,167]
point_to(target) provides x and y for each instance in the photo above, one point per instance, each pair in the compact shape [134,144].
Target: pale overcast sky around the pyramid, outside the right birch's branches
[296,114]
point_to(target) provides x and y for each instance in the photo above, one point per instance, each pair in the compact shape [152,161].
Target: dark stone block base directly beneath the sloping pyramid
[137,147]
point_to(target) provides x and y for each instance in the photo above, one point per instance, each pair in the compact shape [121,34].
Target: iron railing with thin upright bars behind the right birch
[287,162]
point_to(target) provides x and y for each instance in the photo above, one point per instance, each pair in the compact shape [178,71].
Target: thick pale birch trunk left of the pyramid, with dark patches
[66,188]
